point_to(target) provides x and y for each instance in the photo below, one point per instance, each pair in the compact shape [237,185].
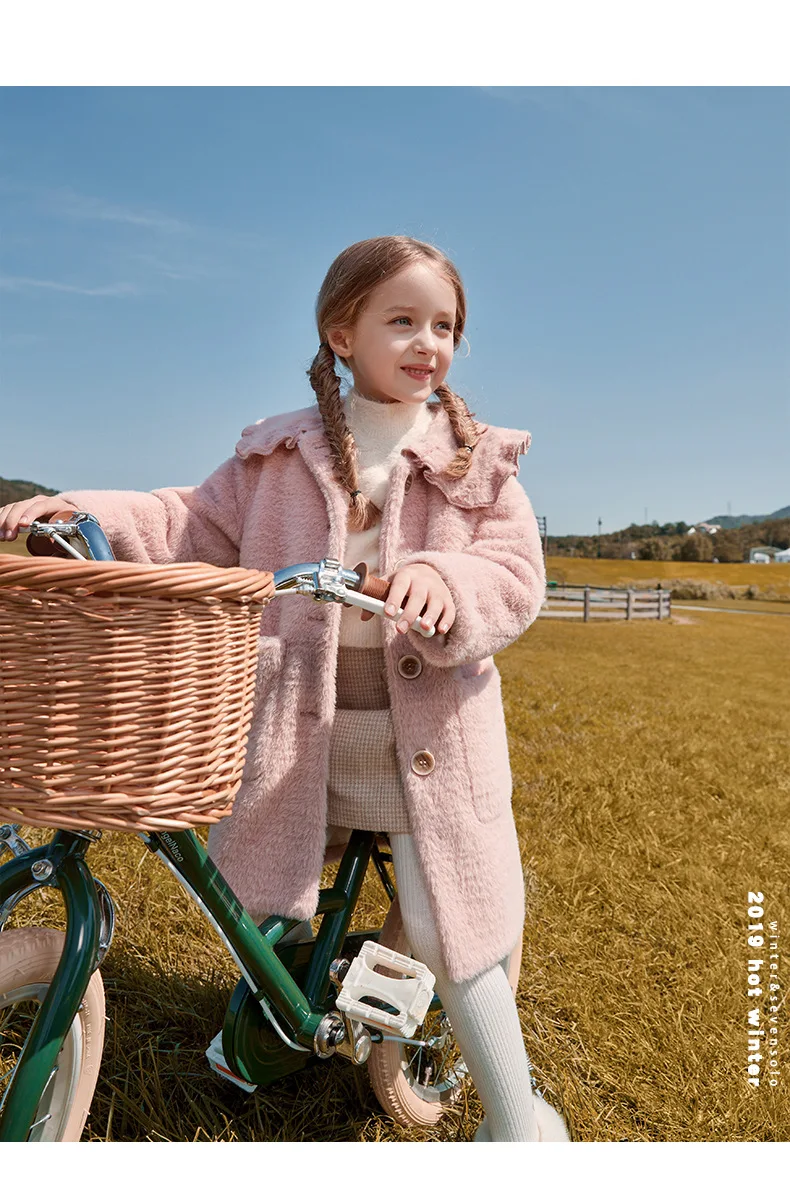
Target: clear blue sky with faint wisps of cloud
[625,253]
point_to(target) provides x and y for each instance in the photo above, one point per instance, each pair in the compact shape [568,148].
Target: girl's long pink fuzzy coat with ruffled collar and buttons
[276,504]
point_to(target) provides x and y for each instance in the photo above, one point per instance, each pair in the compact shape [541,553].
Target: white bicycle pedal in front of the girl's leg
[410,997]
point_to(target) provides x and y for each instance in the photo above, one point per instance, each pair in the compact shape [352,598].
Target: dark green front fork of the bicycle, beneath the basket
[60,865]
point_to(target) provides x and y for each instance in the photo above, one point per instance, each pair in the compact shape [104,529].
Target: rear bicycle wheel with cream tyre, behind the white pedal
[417,1086]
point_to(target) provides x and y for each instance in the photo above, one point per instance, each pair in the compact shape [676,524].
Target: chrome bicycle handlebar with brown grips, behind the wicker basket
[83,538]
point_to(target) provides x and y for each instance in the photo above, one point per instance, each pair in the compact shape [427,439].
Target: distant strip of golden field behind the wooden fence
[769,582]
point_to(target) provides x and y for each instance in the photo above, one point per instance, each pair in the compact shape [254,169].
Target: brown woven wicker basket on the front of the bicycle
[126,691]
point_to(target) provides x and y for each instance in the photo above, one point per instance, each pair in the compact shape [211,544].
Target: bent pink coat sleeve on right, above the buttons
[498,583]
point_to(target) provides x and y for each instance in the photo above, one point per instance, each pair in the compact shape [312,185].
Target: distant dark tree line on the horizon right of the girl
[674,543]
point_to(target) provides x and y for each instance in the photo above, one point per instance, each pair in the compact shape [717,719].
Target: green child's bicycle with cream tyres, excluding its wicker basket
[355,994]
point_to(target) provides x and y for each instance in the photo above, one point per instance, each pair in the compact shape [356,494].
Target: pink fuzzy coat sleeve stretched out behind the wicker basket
[175,525]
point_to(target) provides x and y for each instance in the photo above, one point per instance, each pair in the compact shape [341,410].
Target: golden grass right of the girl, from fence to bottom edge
[652,791]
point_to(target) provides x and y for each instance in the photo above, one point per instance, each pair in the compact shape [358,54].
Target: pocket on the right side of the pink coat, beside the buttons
[485,736]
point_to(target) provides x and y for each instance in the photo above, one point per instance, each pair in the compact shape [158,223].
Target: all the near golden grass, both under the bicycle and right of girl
[651,792]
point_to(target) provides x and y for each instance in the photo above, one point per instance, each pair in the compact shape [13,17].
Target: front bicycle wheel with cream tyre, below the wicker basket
[29,960]
